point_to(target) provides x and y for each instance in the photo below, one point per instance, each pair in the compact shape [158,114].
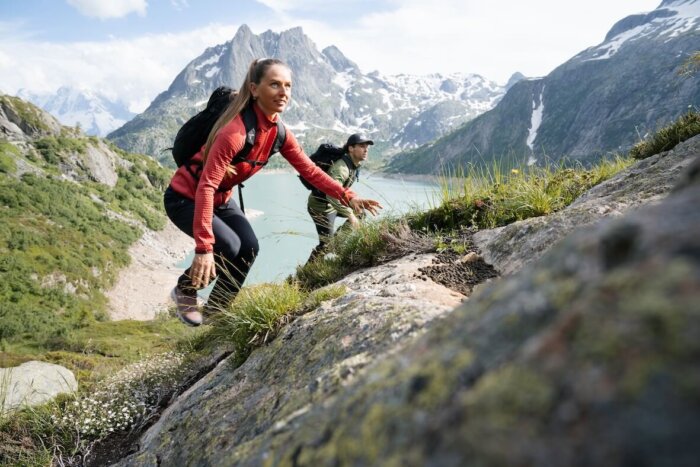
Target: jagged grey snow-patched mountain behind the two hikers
[332,97]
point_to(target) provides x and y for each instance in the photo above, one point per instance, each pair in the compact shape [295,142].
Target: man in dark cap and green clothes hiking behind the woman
[324,209]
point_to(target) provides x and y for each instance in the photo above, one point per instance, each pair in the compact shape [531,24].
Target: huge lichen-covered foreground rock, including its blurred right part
[587,356]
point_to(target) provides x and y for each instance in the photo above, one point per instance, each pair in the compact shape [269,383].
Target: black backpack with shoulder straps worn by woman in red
[194,133]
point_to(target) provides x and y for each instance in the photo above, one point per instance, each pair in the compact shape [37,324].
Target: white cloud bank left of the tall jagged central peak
[133,71]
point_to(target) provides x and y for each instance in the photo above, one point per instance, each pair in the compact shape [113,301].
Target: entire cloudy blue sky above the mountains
[132,49]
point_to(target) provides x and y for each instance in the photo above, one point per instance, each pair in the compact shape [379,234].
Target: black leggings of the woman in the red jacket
[235,247]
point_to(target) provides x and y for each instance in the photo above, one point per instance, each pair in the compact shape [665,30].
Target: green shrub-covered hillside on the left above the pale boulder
[62,243]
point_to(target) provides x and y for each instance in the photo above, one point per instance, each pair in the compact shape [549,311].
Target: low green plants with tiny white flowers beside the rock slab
[65,429]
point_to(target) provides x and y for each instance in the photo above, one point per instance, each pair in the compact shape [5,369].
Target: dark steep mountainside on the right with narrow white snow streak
[590,106]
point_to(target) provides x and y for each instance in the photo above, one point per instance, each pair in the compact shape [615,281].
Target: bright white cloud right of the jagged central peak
[494,38]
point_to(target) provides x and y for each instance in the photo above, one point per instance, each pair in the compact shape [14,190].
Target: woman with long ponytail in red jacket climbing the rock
[199,202]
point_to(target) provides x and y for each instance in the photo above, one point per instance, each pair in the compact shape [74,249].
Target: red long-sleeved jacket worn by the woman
[215,184]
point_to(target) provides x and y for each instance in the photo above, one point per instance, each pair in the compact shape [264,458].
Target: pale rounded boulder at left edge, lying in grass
[34,383]
